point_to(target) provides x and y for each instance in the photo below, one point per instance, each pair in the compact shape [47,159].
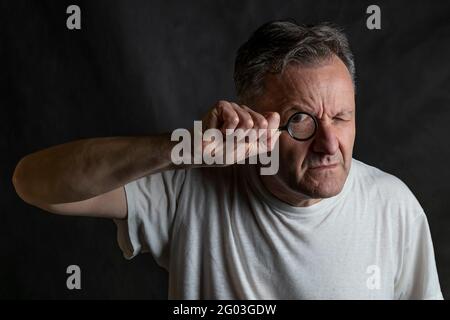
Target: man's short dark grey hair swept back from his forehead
[276,44]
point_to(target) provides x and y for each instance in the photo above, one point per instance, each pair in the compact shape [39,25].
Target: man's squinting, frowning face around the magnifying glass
[325,91]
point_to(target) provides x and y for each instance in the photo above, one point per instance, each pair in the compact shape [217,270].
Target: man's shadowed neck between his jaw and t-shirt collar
[279,189]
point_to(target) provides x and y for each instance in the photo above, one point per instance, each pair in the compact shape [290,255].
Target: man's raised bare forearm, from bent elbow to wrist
[82,169]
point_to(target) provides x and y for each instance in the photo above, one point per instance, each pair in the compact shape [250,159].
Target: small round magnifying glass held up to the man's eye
[301,126]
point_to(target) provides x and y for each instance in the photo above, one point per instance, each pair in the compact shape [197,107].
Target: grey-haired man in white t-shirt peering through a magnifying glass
[325,226]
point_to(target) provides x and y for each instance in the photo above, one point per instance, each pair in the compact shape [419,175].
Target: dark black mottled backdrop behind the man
[145,67]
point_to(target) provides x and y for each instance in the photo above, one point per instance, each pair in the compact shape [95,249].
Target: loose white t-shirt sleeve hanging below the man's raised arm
[152,209]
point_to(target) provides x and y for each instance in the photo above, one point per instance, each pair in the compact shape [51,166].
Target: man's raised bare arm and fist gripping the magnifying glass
[86,177]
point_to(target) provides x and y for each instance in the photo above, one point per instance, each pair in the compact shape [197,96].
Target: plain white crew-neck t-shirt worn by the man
[222,235]
